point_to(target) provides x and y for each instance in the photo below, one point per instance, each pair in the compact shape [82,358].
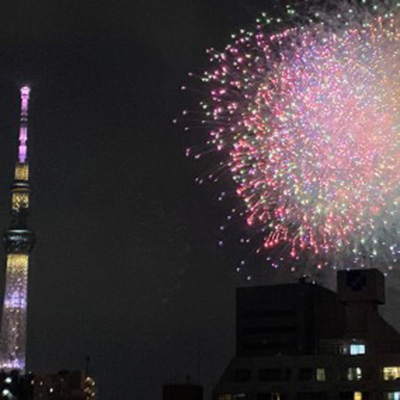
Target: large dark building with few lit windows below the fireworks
[304,342]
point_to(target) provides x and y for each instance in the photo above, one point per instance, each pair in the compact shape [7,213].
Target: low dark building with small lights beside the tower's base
[65,385]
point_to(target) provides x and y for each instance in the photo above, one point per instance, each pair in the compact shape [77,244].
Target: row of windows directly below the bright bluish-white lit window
[310,374]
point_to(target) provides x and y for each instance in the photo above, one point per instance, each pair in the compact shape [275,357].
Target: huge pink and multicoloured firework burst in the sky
[309,119]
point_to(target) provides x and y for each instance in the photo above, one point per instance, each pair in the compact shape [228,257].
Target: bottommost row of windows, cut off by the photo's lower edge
[308,396]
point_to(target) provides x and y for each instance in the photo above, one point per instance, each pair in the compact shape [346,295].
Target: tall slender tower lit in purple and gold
[18,241]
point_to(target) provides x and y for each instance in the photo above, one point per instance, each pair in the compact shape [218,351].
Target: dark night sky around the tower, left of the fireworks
[127,266]
